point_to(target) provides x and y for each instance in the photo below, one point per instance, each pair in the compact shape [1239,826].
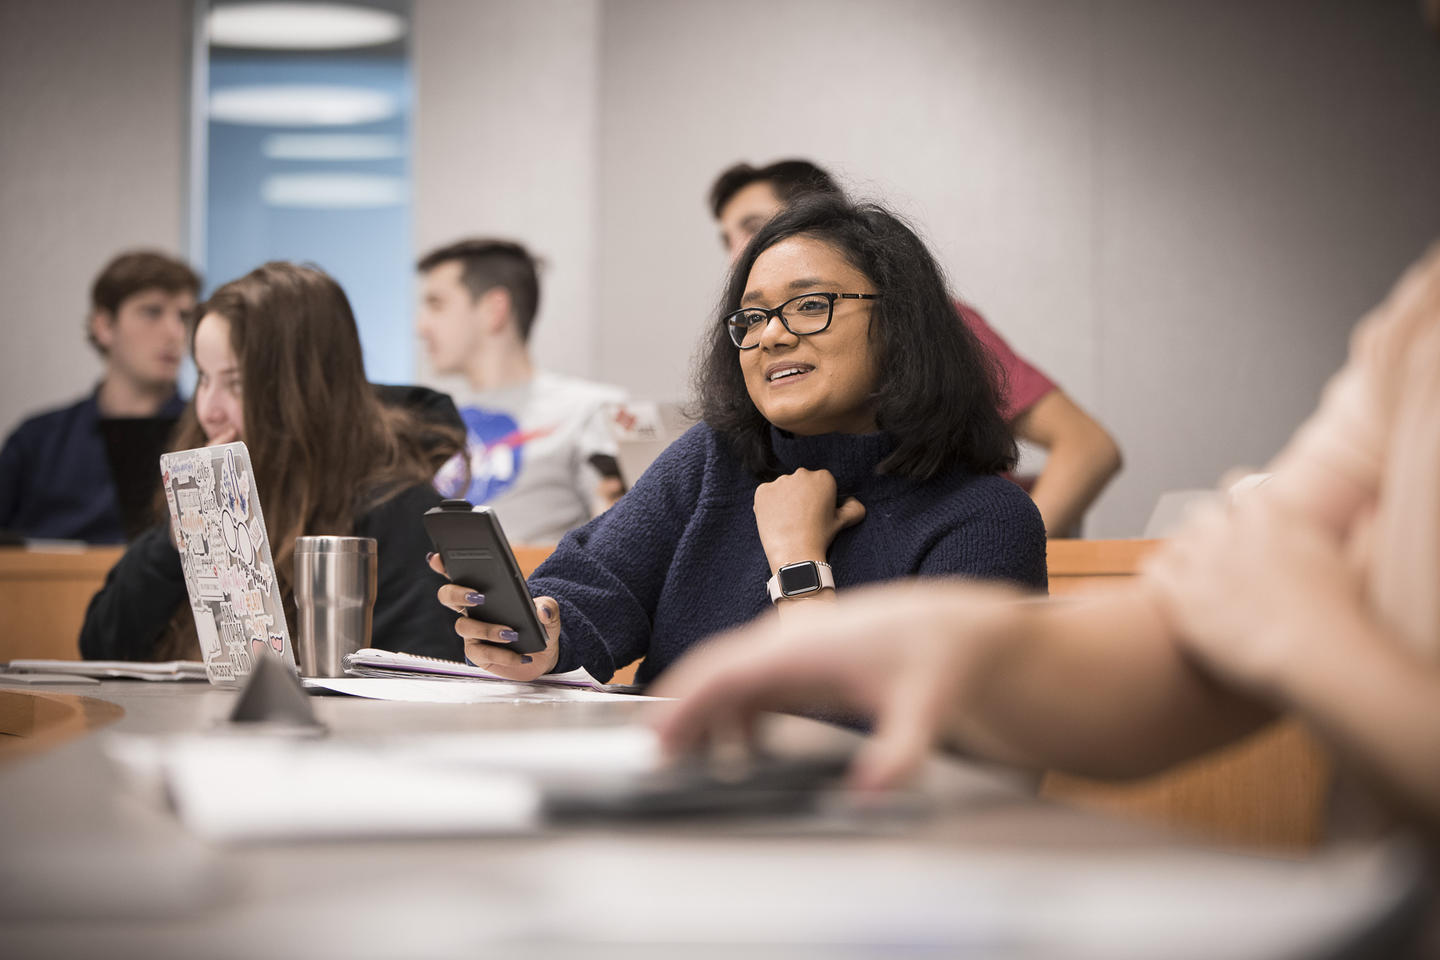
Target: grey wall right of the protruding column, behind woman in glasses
[1177,209]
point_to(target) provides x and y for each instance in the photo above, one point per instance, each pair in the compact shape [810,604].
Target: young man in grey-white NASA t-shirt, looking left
[531,434]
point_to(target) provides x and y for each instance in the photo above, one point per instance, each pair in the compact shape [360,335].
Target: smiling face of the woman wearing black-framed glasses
[820,384]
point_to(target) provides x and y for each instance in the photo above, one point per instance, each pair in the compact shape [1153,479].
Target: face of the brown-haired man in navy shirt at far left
[145,339]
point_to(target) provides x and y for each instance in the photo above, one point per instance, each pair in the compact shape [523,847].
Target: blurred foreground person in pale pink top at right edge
[1314,597]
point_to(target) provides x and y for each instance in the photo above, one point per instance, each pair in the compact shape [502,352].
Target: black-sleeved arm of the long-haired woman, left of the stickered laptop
[142,594]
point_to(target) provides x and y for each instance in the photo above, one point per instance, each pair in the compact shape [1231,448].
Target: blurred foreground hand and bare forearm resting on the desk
[1089,687]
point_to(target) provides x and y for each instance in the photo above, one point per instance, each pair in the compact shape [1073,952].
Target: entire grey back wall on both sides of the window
[1176,208]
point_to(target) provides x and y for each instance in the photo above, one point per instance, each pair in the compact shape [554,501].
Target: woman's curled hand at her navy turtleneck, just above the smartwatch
[797,516]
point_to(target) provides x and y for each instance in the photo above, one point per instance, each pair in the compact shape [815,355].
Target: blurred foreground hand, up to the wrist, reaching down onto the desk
[904,654]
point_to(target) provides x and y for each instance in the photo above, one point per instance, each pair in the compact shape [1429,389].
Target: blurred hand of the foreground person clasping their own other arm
[1252,588]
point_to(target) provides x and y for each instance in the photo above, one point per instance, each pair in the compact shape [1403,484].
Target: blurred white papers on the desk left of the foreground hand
[240,787]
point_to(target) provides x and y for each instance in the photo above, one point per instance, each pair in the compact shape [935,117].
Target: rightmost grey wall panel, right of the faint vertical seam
[1262,181]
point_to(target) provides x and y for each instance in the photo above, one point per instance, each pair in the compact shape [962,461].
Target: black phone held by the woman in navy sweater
[477,556]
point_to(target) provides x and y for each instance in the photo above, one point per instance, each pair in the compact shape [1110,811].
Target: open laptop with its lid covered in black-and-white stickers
[217,522]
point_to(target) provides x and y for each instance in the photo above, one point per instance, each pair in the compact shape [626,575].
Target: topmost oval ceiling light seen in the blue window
[302,27]
